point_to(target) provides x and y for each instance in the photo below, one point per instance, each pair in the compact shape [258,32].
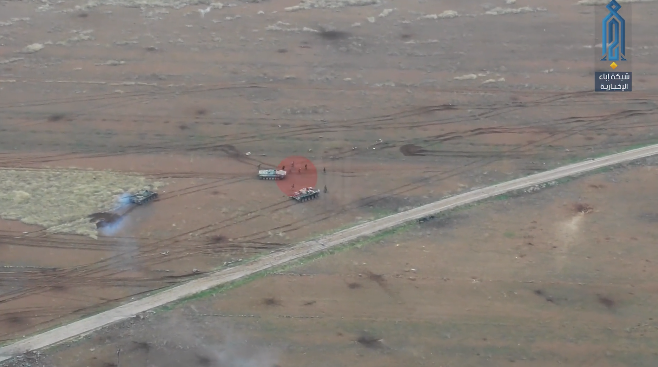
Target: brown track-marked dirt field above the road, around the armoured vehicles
[381,96]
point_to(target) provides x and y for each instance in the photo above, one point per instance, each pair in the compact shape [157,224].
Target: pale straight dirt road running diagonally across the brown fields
[304,249]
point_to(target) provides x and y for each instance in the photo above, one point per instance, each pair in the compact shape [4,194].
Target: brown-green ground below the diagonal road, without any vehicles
[563,276]
